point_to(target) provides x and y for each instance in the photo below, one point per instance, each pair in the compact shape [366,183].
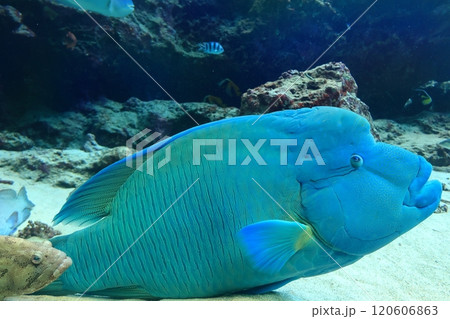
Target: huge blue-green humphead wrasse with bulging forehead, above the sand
[285,198]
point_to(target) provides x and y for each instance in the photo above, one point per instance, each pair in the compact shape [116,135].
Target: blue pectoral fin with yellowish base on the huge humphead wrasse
[270,244]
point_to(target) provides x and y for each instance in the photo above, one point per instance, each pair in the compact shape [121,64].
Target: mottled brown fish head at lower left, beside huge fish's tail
[27,266]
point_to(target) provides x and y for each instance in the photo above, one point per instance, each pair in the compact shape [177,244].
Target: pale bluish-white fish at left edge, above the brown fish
[14,210]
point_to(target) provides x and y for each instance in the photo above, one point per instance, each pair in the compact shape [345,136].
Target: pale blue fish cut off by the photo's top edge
[109,8]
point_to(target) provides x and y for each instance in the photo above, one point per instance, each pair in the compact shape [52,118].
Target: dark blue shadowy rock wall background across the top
[394,48]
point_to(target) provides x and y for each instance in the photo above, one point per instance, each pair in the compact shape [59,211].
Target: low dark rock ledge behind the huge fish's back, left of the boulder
[113,123]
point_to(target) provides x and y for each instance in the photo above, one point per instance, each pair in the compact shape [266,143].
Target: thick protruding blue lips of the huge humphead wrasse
[422,193]
